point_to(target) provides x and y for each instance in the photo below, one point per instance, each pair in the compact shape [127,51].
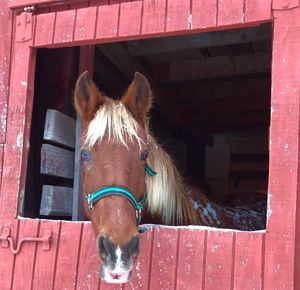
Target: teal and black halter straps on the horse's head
[117,190]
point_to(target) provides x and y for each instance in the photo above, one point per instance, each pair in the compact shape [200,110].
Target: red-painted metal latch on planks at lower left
[7,241]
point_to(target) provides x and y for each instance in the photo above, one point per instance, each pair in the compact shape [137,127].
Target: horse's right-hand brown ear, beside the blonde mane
[138,97]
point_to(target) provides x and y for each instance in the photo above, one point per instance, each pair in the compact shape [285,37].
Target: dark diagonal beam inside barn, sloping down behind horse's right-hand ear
[121,58]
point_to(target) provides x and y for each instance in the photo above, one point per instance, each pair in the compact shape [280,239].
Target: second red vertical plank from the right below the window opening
[219,259]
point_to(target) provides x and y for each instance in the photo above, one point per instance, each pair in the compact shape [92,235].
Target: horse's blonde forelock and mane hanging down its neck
[167,195]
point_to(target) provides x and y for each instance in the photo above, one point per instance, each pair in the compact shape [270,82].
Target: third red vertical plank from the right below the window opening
[190,259]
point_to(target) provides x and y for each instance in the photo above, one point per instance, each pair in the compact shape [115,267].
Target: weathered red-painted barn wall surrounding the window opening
[184,258]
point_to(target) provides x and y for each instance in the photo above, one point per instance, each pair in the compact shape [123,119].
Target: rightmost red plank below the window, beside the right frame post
[248,260]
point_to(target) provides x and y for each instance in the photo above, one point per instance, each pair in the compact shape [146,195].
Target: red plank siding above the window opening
[129,20]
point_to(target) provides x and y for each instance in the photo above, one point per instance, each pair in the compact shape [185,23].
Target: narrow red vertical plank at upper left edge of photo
[5,57]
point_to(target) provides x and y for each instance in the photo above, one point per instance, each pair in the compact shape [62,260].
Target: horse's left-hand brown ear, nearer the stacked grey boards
[87,98]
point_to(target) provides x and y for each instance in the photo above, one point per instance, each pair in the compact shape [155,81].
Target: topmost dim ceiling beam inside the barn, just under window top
[201,40]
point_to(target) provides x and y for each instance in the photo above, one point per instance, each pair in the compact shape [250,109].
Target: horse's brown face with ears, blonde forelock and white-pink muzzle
[114,149]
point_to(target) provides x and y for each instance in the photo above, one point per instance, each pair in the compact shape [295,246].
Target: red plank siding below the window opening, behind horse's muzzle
[170,258]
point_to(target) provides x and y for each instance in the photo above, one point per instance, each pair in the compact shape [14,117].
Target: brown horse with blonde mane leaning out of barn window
[119,152]
